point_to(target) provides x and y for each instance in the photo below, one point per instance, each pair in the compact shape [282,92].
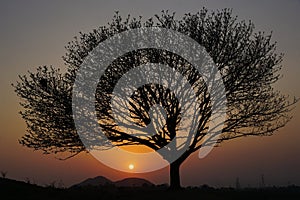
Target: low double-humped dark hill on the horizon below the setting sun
[127,182]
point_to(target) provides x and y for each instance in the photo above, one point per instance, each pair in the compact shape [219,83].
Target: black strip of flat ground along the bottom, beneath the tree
[11,189]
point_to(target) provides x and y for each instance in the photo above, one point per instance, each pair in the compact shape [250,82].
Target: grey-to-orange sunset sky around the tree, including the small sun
[34,33]
